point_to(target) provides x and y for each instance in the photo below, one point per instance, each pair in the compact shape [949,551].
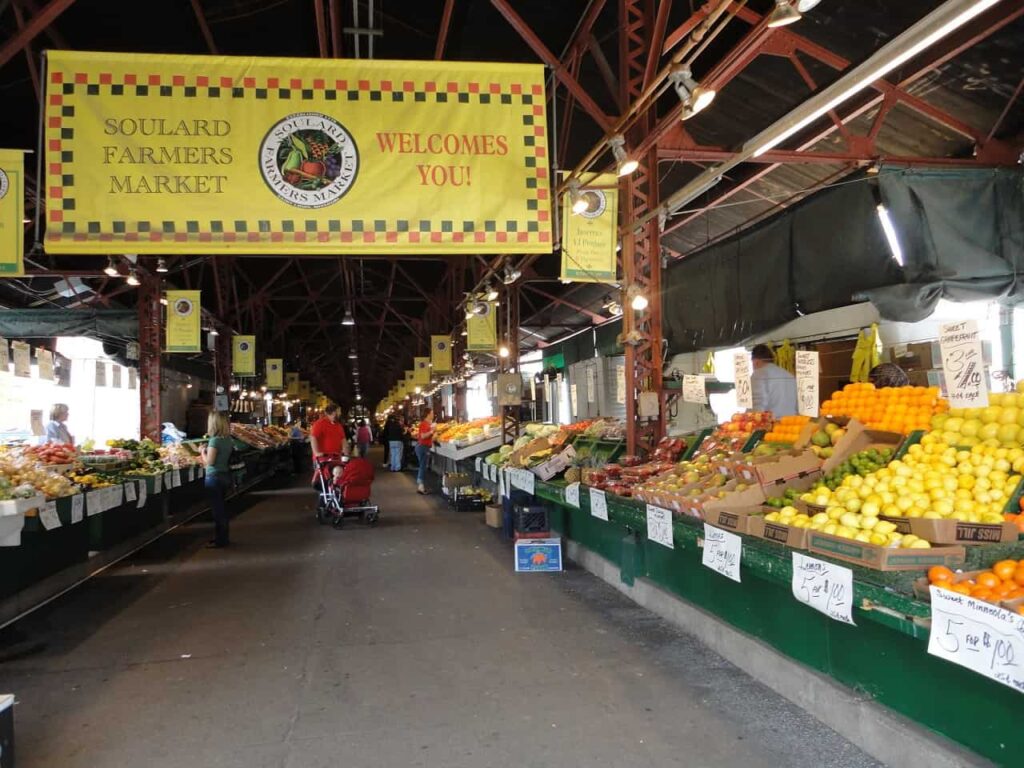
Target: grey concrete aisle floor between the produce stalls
[410,645]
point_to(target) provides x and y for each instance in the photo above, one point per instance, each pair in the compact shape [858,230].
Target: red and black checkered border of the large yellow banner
[61,163]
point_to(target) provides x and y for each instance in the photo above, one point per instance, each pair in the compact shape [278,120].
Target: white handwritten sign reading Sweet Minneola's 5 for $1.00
[978,635]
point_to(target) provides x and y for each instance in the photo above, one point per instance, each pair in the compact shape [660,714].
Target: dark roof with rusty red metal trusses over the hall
[958,103]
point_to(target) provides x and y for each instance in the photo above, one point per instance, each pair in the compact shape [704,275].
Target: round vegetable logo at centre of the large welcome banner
[310,160]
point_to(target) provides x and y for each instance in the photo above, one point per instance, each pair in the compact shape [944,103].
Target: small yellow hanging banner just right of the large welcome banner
[589,239]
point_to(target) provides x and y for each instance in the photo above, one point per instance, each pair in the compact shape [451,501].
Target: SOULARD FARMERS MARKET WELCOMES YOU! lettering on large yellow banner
[208,155]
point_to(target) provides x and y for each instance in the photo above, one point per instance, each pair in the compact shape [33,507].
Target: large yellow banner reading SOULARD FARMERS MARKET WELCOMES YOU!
[162,154]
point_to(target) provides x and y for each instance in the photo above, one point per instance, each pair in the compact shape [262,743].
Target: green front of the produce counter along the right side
[884,657]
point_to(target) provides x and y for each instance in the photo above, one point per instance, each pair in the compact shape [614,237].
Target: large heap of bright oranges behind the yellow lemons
[901,410]
